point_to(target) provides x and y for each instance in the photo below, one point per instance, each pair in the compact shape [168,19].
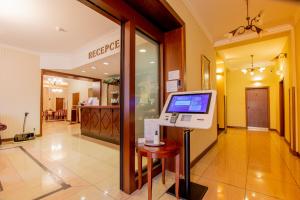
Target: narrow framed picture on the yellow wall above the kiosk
[205,73]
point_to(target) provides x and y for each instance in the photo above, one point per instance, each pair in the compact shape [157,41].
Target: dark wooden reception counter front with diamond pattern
[101,122]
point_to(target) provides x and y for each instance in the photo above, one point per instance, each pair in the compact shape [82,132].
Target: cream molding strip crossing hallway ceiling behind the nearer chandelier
[266,32]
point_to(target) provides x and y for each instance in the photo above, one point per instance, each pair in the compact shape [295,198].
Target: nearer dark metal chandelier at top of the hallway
[250,26]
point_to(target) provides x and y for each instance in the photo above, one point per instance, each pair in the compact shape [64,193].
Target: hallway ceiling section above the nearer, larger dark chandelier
[218,17]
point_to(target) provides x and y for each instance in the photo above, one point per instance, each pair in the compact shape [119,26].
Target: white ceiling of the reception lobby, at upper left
[31,25]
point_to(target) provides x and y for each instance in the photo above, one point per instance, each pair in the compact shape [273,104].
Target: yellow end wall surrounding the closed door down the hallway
[237,82]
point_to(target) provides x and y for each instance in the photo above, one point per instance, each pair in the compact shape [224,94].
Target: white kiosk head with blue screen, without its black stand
[189,109]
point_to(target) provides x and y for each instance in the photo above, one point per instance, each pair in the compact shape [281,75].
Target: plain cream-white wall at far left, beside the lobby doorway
[19,90]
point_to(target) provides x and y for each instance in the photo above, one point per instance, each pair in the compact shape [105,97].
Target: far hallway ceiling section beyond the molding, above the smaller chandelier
[264,51]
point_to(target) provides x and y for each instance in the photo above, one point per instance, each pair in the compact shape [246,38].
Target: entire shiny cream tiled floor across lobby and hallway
[243,165]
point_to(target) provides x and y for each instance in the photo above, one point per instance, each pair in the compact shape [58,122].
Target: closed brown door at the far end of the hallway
[257,107]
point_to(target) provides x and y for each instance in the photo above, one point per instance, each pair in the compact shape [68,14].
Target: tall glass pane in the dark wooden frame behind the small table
[147,97]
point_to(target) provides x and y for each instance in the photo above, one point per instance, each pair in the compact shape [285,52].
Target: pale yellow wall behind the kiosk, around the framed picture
[196,44]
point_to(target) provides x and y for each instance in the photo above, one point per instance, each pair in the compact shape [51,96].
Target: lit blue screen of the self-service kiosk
[189,103]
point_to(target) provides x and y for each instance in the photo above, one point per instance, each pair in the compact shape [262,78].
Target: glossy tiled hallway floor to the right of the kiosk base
[249,165]
